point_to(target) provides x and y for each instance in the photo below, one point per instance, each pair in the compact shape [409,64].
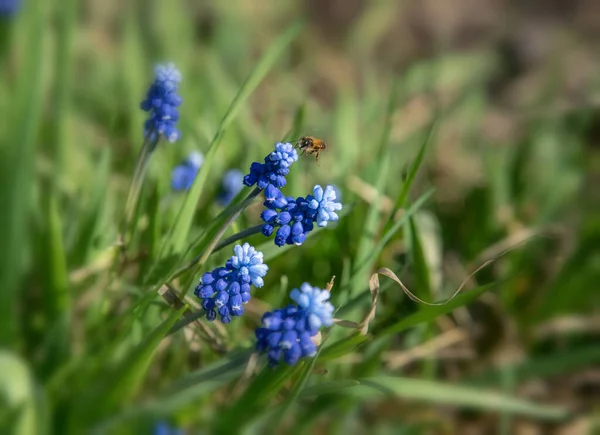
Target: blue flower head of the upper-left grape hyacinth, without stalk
[161,102]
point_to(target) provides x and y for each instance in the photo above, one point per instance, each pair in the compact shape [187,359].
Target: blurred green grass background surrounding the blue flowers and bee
[455,129]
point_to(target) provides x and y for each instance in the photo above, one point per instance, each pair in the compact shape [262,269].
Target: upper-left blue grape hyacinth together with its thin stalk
[161,103]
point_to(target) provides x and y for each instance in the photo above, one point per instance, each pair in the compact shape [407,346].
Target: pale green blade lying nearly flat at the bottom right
[455,395]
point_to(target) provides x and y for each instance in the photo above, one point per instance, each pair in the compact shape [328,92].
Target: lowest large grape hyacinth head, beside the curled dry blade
[288,332]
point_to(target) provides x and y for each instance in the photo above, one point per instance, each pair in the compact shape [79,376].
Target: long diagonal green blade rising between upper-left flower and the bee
[183,222]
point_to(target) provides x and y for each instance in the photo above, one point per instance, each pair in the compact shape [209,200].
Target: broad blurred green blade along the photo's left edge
[17,164]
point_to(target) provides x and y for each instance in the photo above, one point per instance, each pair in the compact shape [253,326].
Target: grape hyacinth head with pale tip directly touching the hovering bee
[274,169]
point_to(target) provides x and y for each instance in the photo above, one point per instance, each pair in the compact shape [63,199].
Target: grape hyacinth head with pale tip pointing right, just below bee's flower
[295,217]
